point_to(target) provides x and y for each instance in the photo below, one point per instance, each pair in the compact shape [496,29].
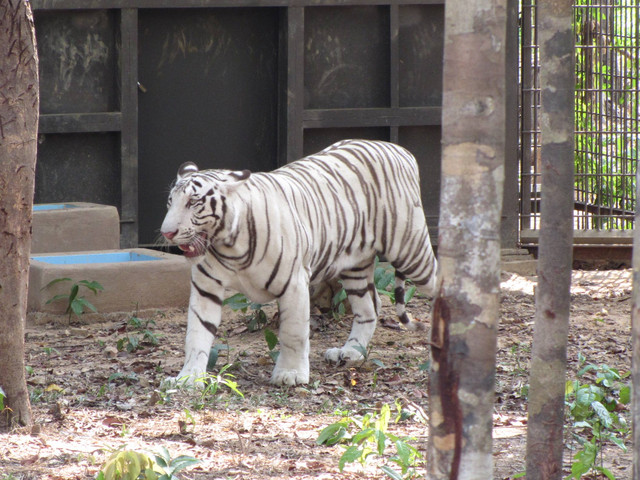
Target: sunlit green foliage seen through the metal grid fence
[606,151]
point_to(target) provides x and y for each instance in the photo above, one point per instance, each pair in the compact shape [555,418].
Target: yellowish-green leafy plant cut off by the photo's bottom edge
[132,465]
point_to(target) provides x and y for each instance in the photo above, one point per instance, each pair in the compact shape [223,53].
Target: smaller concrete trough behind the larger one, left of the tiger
[80,226]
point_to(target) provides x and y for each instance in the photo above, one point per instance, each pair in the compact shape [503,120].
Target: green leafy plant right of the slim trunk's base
[593,407]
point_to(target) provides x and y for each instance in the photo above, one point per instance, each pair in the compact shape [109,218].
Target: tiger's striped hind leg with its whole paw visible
[365,305]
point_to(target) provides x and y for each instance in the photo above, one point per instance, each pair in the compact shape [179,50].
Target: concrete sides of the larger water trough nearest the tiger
[128,286]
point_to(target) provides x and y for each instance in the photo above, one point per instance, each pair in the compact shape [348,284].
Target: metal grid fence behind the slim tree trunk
[607,50]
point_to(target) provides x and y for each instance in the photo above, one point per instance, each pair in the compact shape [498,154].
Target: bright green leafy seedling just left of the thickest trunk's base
[371,437]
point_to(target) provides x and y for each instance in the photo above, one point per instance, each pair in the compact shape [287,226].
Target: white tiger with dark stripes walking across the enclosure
[273,235]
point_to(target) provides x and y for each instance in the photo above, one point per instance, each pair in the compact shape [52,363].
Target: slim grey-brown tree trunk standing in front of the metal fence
[549,351]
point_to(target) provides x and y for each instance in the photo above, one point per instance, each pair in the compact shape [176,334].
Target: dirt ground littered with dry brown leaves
[89,398]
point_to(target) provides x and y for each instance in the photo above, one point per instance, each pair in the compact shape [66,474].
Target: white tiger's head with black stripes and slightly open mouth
[198,213]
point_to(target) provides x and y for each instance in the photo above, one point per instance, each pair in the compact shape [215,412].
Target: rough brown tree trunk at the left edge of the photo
[19,103]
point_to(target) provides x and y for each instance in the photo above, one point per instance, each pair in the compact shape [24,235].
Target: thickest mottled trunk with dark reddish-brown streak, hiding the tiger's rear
[465,318]
